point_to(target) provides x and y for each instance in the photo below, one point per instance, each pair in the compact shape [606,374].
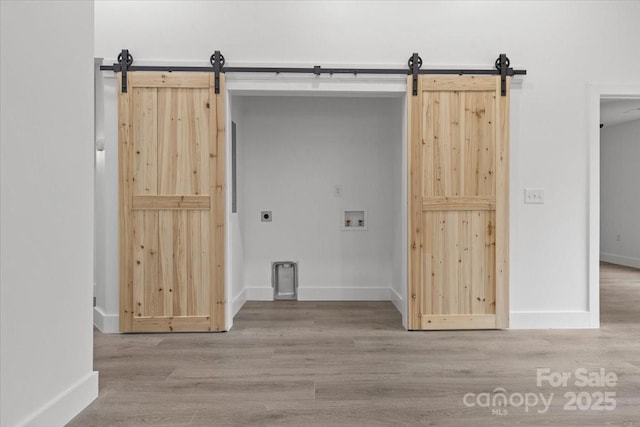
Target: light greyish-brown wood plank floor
[352,364]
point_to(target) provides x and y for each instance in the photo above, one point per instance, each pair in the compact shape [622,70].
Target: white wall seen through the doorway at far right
[620,194]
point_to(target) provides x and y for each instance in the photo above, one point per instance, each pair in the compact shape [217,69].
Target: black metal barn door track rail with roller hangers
[502,69]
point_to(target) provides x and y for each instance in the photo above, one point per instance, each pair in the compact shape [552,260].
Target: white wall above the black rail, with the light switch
[549,264]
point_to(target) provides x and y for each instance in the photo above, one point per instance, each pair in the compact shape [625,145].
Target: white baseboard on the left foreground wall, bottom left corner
[61,409]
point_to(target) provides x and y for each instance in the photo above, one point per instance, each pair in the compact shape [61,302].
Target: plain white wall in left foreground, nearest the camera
[46,250]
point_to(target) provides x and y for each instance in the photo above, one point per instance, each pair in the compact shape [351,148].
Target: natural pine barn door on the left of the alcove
[171,155]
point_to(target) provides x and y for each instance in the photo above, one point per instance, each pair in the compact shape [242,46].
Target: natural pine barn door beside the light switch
[458,203]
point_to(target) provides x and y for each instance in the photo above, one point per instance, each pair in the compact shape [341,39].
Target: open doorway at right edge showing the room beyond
[619,209]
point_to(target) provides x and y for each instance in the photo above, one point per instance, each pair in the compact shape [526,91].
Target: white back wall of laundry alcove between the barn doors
[294,151]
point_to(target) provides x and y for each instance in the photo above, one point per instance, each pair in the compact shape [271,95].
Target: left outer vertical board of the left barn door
[124,202]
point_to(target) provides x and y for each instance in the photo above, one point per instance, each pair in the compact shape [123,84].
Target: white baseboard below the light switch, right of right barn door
[550,320]
